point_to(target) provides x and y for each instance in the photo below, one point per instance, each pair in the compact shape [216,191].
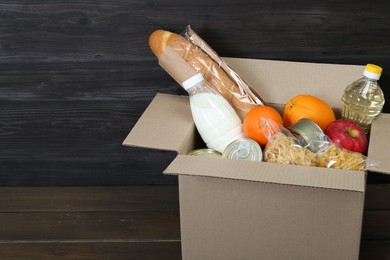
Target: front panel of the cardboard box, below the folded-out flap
[229,219]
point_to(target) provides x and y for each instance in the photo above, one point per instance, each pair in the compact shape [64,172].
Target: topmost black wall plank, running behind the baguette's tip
[120,28]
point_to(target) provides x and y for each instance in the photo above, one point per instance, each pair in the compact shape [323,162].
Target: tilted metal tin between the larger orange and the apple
[308,133]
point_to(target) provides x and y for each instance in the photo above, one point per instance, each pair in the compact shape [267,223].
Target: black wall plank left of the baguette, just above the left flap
[104,80]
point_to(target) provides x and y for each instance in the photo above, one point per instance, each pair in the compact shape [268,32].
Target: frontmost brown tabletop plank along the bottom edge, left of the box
[91,250]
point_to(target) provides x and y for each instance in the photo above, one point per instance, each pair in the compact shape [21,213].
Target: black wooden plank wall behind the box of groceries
[75,76]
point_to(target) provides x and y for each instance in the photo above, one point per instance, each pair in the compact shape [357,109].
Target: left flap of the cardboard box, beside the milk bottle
[165,125]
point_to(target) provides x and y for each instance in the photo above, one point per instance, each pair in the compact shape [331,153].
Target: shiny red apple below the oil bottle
[348,135]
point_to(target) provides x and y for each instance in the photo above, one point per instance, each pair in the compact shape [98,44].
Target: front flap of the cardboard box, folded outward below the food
[268,173]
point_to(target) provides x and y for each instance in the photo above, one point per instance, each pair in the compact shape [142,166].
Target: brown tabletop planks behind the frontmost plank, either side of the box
[123,213]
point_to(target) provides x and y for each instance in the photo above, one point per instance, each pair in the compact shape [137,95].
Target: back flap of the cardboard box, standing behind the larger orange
[279,81]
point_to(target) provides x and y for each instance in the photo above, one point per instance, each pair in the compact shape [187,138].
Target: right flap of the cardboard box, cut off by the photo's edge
[380,143]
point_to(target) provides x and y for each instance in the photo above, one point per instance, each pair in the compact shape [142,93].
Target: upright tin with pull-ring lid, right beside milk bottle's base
[243,149]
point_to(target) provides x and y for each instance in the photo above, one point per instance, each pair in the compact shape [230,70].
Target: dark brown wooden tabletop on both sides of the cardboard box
[126,222]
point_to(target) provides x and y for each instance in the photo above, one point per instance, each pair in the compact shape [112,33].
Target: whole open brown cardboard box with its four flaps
[231,209]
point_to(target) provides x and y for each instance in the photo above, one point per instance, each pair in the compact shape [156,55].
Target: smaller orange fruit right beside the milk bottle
[253,126]
